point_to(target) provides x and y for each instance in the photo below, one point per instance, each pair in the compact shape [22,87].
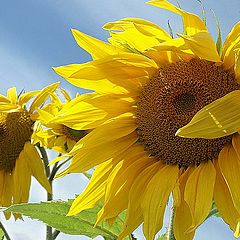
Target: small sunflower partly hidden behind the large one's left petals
[56,136]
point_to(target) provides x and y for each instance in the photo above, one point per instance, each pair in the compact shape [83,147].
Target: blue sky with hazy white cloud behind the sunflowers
[35,36]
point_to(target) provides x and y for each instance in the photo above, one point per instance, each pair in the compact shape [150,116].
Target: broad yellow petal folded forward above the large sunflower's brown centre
[203,46]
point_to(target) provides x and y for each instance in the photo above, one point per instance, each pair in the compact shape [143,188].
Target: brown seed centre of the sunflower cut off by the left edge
[15,131]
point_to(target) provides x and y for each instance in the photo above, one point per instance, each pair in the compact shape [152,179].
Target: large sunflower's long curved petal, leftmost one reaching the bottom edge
[134,215]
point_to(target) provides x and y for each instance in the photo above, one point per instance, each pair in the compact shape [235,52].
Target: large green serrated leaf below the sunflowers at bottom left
[54,215]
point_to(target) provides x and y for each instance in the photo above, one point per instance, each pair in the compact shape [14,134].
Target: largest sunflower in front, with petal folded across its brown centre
[147,86]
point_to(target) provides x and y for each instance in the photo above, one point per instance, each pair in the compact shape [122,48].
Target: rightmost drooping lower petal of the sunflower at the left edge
[36,165]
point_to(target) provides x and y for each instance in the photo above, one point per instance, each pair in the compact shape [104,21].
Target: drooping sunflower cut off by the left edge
[19,158]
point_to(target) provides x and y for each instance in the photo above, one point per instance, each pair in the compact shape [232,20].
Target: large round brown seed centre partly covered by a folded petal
[169,101]
